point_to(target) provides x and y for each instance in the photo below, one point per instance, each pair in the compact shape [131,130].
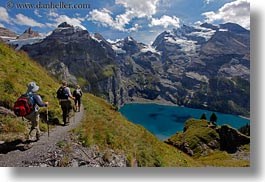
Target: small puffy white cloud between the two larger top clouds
[165,21]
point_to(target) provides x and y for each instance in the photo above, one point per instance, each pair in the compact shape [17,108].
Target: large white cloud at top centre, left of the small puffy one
[133,9]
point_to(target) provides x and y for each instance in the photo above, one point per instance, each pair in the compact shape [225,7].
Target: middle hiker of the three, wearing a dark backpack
[63,94]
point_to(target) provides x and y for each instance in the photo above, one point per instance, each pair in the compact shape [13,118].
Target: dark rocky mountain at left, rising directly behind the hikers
[72,54]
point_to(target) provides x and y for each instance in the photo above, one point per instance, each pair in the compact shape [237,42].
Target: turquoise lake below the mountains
[164,121]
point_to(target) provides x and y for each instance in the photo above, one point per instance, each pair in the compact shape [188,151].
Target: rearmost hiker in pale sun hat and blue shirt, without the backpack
[34,116]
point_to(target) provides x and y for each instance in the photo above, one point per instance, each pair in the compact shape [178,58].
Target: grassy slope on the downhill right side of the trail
[107,128]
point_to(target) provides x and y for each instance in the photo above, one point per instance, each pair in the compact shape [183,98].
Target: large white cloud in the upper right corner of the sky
[235,12]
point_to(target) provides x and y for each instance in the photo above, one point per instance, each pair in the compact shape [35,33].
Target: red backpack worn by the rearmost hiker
[24,105]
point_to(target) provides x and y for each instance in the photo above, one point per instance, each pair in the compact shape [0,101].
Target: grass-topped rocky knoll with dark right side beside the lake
[199,138]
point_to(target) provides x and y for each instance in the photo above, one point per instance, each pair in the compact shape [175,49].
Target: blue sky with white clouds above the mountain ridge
[116,19]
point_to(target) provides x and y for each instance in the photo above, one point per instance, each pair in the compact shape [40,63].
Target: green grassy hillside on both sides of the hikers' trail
[102,125]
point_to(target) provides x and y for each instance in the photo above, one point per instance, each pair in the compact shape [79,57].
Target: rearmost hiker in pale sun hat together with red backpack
[27,106]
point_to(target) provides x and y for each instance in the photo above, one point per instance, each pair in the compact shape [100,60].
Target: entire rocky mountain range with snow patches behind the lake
[203,67]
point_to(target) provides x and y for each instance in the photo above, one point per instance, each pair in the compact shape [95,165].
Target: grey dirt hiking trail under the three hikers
[40,150]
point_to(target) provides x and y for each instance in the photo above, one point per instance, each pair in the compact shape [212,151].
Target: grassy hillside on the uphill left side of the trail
[16,70]
